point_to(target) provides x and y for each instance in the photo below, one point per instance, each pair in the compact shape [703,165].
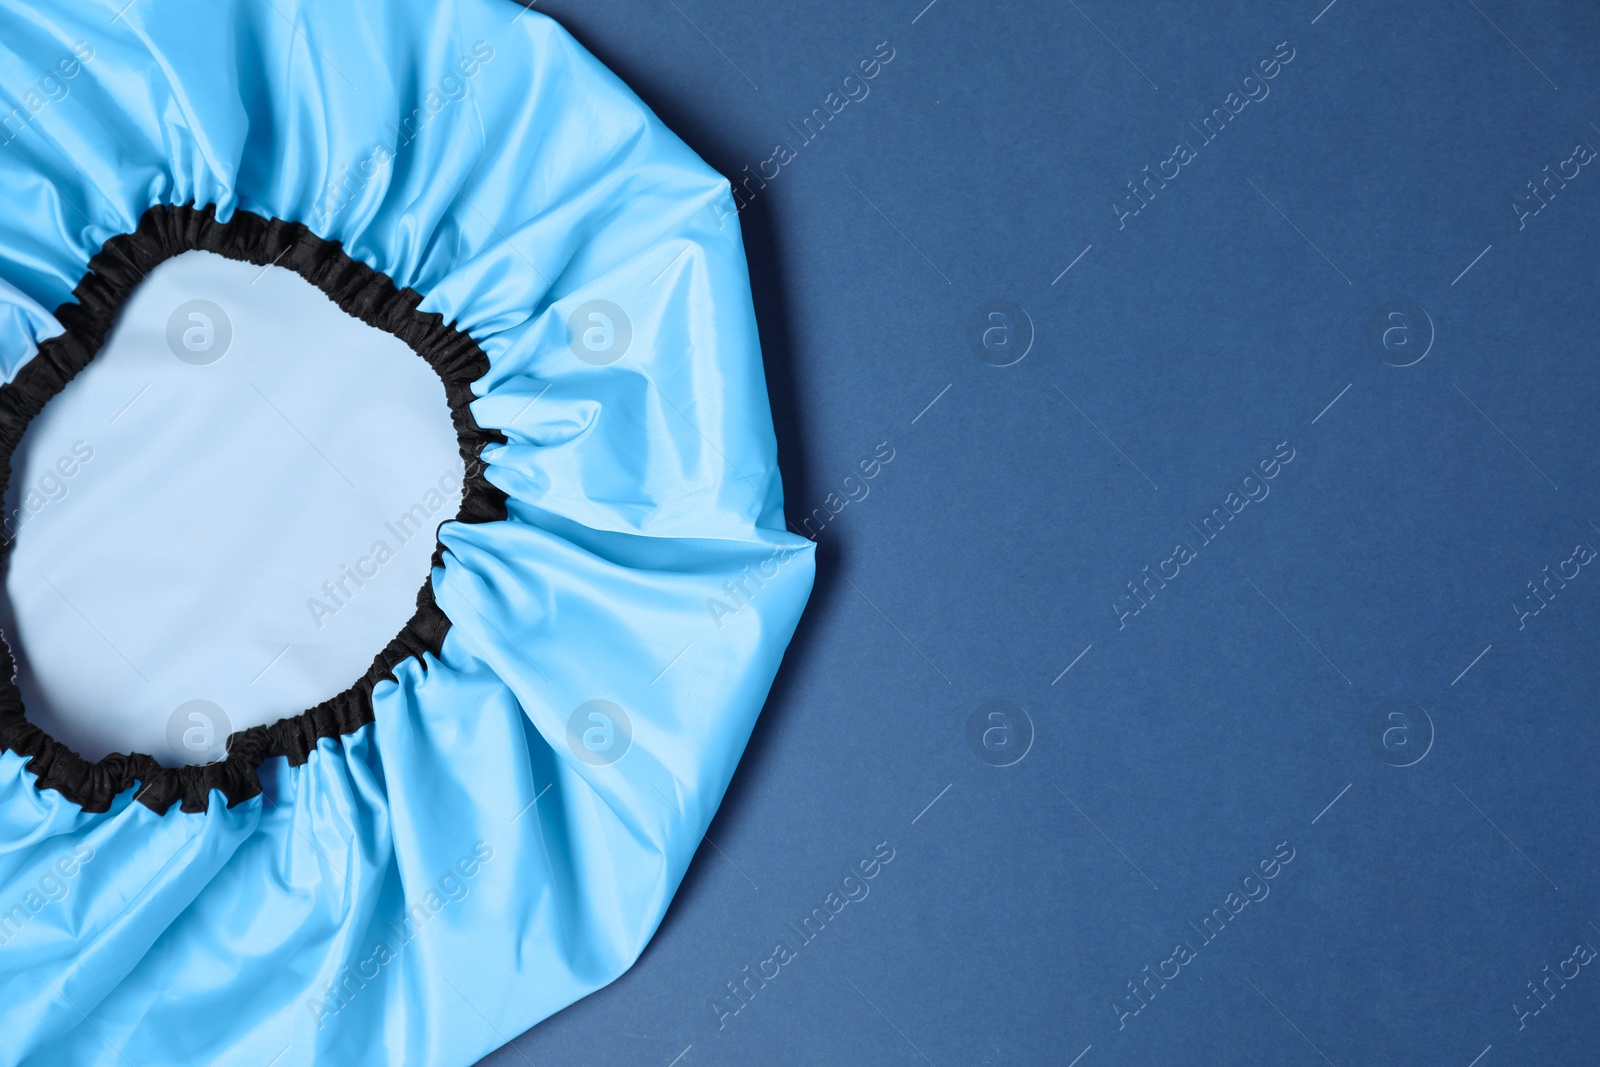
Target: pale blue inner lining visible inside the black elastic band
[247,532]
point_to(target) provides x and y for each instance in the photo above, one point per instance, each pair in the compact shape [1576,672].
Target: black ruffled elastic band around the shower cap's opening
[361,292]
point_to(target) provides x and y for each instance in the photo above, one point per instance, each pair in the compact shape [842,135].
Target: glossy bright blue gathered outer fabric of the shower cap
[430,885]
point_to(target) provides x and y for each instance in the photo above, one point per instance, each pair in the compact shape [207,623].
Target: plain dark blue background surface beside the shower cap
[1178,351]
